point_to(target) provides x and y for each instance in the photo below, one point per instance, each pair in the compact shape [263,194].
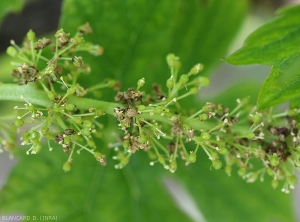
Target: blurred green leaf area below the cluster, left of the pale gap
[89,192]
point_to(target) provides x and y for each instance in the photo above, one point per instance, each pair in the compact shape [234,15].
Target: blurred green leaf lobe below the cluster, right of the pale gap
[223,198]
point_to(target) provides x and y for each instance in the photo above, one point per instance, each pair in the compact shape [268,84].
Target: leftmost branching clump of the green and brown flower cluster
[61,121]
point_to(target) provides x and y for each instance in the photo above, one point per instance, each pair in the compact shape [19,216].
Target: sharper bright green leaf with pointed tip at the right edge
[275,44]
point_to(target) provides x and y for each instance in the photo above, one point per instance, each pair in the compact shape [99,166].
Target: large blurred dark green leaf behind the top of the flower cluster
[138,34]
